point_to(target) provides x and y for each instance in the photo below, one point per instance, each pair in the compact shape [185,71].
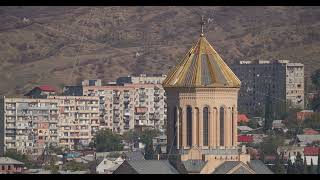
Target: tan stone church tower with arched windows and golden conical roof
[202,93]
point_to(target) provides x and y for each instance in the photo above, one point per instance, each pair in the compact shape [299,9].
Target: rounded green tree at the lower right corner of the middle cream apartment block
[106,140]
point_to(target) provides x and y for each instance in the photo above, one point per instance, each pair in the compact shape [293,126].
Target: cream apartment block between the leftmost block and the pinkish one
[78,120]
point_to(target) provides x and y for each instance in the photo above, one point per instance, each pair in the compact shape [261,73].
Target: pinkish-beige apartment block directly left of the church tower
[129,106]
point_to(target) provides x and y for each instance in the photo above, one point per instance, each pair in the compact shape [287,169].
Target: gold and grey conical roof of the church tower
[201,67]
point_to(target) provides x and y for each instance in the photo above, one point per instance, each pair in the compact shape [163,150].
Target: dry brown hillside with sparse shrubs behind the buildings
[102,42]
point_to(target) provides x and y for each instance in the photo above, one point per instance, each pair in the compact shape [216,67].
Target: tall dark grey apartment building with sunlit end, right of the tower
[281,80]
